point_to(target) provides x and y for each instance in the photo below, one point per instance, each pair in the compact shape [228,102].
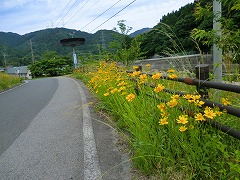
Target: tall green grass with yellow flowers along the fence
[168,133]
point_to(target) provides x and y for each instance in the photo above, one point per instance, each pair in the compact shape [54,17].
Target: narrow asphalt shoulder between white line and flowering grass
[114,163]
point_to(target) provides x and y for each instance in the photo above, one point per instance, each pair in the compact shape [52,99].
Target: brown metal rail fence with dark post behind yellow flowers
[203,84]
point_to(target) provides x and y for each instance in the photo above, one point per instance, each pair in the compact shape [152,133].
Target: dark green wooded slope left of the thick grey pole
[172,34]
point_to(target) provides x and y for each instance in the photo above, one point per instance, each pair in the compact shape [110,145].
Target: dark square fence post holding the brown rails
[202,73]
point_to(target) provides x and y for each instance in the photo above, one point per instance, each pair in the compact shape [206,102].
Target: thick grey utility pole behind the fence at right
[217,52]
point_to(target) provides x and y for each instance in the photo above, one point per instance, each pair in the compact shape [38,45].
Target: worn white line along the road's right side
[91,162]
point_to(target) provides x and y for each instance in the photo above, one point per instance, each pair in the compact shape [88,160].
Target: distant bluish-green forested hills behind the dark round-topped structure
[17,48]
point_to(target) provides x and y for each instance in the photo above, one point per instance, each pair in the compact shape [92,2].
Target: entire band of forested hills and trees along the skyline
[172,35]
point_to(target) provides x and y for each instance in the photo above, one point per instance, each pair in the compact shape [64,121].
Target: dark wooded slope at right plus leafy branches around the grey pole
[173,34]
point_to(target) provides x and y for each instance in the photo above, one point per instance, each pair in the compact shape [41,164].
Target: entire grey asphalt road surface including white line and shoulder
[49,130]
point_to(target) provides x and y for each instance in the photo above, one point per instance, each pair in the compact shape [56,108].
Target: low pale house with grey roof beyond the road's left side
[21,71]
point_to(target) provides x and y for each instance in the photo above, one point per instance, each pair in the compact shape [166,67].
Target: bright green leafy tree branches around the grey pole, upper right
[230,40]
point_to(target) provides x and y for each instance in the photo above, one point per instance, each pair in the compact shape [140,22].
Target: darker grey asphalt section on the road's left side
[19,106]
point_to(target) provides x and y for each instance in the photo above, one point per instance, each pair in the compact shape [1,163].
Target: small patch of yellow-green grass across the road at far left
[8,81]
